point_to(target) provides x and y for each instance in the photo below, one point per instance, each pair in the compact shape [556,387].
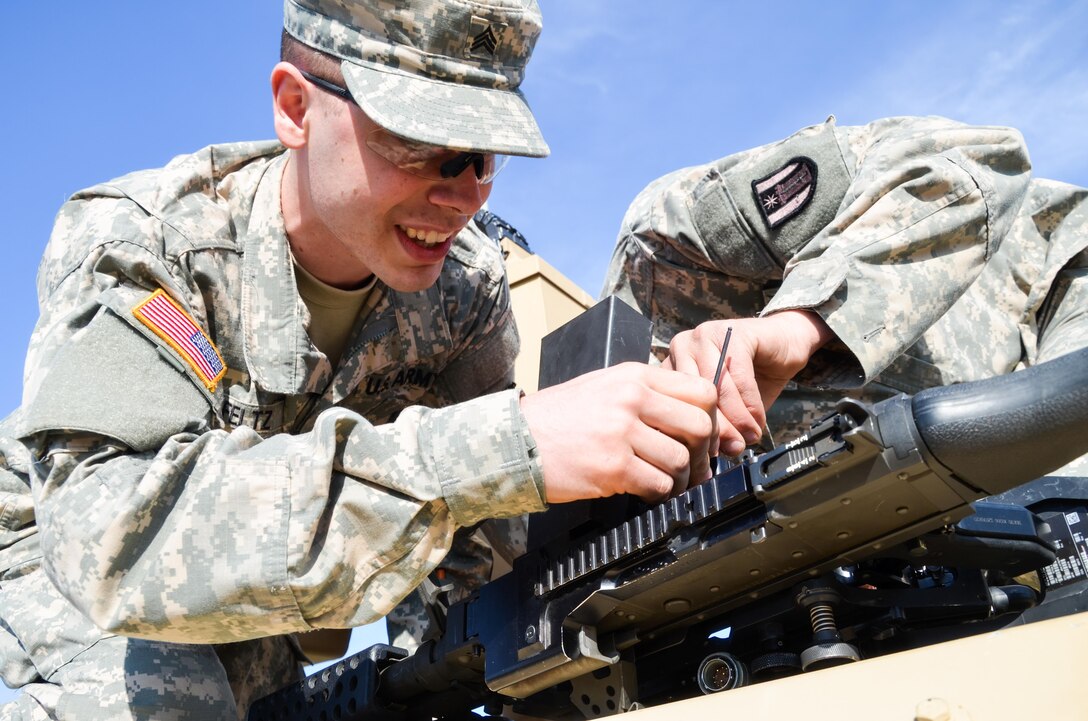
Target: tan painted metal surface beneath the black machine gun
[1035,672]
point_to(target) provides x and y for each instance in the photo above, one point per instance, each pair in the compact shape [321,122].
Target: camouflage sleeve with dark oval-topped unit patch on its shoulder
[879,229]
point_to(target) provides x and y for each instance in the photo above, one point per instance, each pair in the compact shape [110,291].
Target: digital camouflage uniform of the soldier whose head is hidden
[924,244]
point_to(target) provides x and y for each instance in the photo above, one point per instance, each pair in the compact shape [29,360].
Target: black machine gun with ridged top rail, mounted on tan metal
[863,537]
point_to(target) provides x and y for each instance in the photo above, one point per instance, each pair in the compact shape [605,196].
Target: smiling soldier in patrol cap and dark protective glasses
[270,381]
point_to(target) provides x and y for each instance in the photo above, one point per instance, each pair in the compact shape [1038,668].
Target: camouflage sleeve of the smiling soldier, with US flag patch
[157,525]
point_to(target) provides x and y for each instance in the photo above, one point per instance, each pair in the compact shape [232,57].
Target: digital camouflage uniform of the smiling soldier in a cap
[177,508]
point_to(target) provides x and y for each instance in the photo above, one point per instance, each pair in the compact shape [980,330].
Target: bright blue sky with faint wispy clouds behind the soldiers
[625,92]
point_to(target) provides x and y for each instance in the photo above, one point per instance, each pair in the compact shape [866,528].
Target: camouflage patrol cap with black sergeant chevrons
[444,72]
